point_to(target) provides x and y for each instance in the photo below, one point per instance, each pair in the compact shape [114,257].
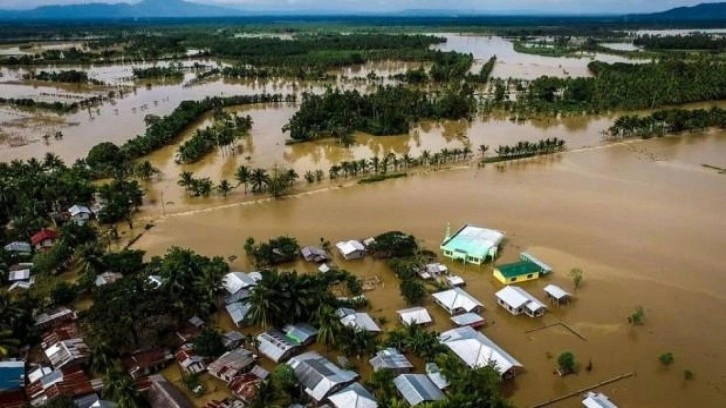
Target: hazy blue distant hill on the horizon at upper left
[144,9]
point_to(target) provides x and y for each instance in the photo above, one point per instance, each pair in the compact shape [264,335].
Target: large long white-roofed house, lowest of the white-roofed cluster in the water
[477,350]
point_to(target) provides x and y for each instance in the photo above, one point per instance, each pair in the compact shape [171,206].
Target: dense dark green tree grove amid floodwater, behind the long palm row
[388,111]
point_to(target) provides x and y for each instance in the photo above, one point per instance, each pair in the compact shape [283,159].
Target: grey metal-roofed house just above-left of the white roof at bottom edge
[319,376]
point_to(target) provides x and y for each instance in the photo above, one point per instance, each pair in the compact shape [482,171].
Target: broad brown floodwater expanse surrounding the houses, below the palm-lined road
[642,219]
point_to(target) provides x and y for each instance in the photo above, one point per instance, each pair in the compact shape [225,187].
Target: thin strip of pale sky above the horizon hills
[493,6]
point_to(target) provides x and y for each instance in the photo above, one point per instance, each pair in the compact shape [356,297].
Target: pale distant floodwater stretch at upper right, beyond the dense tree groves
[516,65]
